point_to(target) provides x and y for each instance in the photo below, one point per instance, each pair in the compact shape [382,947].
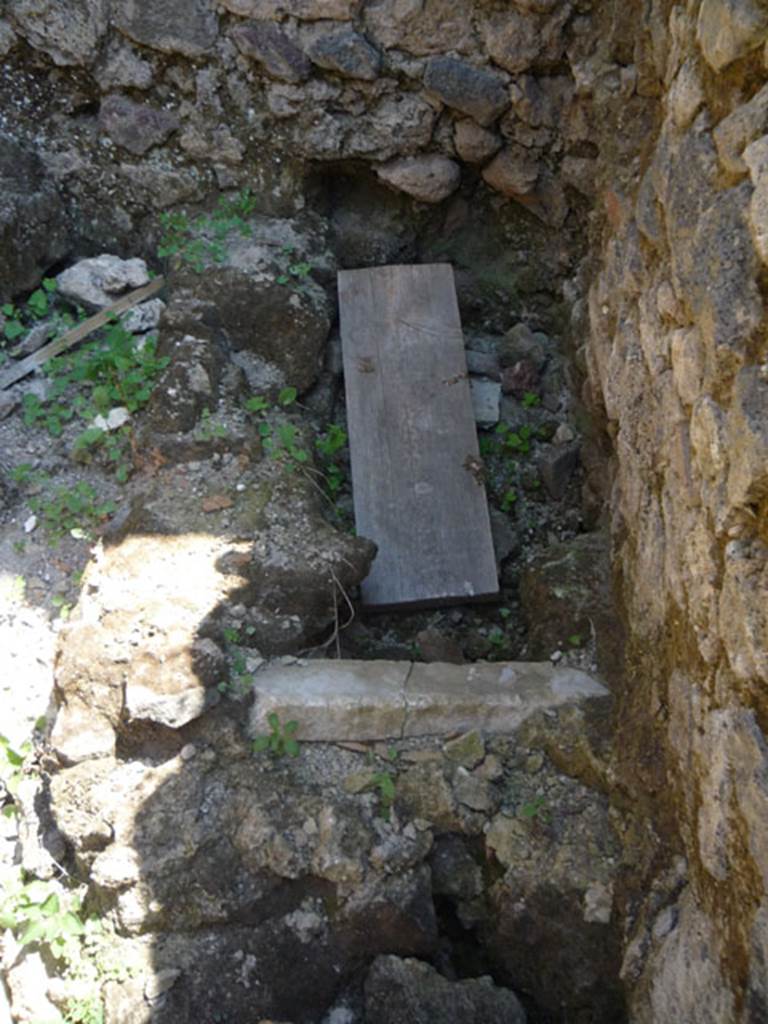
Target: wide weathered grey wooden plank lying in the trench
[418,493]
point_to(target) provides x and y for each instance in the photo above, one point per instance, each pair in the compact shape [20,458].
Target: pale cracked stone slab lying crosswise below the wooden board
[337,701]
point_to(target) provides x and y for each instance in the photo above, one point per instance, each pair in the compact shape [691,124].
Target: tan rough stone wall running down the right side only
[678,362]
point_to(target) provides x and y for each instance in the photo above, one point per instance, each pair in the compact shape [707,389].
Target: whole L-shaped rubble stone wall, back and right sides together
[639,126]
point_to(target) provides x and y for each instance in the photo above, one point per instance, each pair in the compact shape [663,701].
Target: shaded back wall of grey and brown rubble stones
[173,102]
